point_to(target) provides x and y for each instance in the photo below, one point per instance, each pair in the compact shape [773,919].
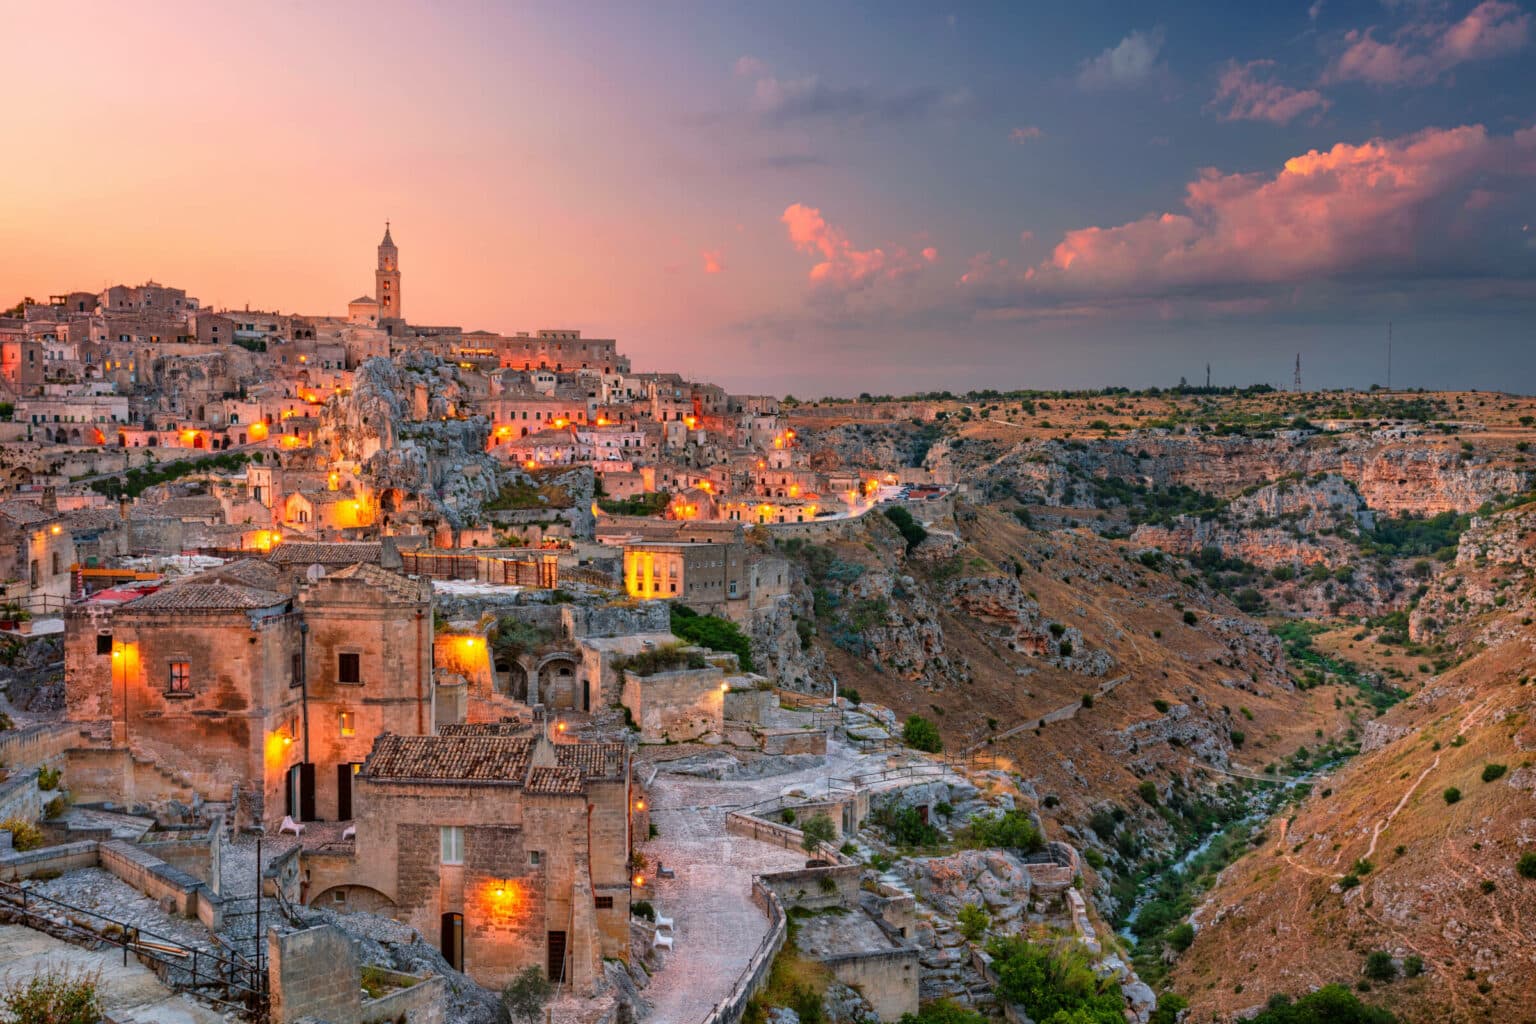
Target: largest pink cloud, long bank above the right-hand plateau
[1368,208]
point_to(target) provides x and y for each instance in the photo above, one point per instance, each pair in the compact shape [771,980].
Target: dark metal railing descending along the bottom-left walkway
[220,976]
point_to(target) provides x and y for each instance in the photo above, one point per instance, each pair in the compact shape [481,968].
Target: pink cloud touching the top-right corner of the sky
[1423,51]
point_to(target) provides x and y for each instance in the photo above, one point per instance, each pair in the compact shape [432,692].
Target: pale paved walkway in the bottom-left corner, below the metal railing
[130,994]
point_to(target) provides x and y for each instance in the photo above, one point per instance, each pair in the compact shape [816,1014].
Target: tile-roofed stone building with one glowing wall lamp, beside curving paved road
[511,850]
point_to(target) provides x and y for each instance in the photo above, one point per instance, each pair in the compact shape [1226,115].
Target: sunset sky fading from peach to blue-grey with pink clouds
[813,199]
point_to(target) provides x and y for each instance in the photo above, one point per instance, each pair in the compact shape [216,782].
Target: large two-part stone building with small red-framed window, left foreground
[236,687]
